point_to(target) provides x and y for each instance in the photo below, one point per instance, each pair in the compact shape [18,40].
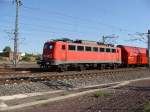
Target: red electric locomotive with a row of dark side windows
[67,54]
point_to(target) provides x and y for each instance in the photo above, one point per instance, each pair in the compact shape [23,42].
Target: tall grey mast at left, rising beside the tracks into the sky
[16,33]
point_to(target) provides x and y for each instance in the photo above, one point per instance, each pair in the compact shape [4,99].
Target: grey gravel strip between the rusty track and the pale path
[67,84]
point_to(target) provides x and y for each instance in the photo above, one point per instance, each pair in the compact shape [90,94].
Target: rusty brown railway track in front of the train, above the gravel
[26,77]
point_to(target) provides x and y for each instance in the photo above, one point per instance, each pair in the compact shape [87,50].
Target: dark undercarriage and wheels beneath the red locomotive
[77,66]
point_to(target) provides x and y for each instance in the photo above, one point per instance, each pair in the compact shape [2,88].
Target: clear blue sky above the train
[42,20]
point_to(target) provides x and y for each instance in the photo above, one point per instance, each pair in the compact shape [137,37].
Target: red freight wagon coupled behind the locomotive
[133,56]
